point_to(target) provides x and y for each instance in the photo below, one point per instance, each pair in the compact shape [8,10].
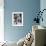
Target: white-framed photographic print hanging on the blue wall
[17,18]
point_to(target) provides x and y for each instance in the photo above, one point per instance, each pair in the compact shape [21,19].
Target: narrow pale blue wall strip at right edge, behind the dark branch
[43,6]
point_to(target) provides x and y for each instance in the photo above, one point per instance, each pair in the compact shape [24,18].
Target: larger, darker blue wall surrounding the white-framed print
[28,7]
